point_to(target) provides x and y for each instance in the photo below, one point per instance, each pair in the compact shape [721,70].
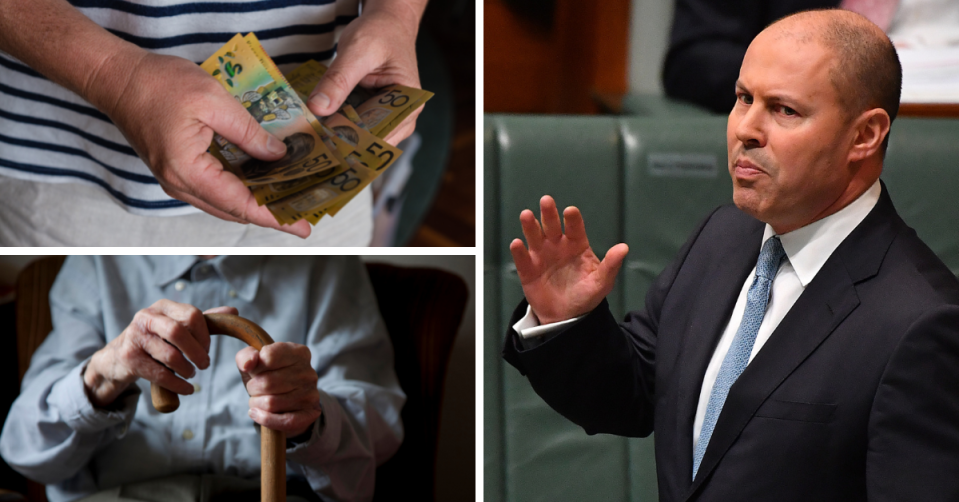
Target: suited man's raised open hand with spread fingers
[562,278]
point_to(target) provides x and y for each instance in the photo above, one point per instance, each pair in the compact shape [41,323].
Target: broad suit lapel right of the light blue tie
[826,302]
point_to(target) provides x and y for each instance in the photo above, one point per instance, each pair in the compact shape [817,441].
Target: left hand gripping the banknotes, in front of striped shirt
[168,111]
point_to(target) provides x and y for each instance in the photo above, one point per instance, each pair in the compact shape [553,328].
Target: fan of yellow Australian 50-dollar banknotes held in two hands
[328,160]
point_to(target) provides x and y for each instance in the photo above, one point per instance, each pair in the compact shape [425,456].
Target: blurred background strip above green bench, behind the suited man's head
[641,57]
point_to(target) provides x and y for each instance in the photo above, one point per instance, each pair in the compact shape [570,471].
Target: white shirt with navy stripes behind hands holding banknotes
[50,134]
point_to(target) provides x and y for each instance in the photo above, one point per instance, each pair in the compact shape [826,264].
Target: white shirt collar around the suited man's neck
[810,246]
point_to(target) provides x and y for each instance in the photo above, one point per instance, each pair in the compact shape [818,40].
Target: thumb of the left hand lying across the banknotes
[237,126]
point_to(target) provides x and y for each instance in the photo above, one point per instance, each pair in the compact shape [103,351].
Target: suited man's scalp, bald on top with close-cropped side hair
[865,72]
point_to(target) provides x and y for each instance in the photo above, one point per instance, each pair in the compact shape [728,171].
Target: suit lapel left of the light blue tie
[704,330]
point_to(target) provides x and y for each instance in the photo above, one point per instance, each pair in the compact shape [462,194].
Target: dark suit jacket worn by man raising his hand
[853,397]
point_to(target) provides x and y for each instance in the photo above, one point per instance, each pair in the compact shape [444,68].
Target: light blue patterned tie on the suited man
[738,356]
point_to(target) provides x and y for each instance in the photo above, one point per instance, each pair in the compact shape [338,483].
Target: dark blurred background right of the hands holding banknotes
[431,201]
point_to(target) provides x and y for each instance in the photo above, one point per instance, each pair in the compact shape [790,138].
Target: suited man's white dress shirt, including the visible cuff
[807,249]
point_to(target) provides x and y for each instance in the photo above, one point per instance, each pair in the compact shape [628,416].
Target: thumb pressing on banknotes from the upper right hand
[343,75]
